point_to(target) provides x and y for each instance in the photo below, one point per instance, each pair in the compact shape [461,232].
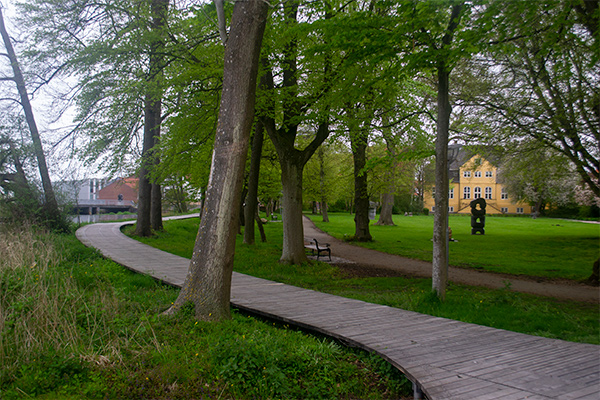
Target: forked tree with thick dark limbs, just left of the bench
[295,108]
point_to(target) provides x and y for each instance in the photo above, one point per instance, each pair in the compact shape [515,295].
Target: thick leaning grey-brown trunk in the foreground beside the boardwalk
[208,282]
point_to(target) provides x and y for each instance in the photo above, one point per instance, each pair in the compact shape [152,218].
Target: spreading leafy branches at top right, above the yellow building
[545,80]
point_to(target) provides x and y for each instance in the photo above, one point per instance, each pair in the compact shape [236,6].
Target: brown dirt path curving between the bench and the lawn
[564,290]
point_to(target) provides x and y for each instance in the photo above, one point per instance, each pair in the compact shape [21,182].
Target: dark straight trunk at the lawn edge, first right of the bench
[361,191]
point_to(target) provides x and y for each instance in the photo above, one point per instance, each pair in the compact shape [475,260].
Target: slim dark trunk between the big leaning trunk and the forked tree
[251,208]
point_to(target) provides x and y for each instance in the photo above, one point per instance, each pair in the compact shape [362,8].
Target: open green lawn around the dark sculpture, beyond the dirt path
[540,247]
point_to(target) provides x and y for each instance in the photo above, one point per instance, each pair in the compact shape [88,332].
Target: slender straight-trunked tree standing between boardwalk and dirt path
[439,41]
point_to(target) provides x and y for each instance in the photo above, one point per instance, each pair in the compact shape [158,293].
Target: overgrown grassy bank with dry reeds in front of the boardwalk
[74,325]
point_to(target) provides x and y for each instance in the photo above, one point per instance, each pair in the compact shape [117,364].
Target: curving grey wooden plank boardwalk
[445,359]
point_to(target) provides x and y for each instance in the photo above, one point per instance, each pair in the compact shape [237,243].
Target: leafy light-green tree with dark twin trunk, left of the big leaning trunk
[125,60]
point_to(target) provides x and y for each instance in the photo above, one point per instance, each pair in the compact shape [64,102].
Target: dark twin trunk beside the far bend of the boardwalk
[149,214]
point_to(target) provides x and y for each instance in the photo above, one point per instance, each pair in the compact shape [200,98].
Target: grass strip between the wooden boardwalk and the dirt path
[503,309]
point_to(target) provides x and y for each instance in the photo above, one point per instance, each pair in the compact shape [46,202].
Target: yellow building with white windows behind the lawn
[471,177]
